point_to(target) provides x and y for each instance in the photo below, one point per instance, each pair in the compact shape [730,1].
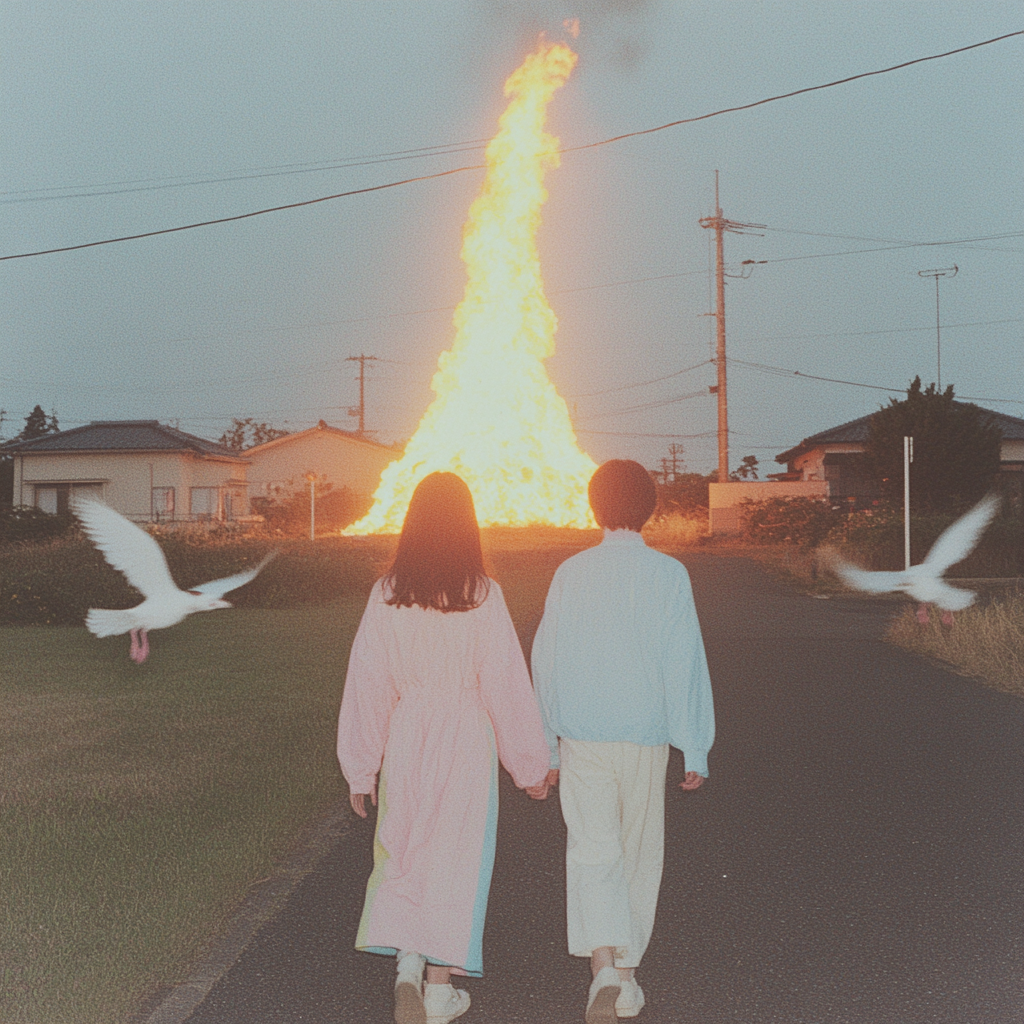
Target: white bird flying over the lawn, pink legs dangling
[131,550]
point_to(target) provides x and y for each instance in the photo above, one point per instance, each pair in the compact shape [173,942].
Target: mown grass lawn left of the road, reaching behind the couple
[140,803]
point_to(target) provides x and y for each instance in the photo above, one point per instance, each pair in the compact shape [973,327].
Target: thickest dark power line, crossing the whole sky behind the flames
[477,167]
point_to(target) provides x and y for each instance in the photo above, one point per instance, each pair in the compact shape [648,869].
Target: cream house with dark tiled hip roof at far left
[145,471]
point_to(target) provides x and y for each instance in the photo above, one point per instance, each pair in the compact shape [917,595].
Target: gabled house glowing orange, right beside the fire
[337,457]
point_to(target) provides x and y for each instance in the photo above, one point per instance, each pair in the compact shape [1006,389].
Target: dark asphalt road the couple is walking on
[857,857]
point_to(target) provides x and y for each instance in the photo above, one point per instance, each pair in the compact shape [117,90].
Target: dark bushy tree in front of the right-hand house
[956,449]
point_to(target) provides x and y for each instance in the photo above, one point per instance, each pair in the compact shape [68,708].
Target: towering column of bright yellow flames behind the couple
[497,419]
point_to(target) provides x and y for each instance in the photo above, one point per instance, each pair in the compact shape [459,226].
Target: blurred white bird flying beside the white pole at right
[925,582]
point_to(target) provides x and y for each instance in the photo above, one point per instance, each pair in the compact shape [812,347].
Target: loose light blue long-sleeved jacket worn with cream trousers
[619,654]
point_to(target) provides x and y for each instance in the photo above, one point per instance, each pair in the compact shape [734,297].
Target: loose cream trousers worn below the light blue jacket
[613,798]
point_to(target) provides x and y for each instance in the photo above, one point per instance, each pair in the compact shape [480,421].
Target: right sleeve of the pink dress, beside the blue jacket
[509,699]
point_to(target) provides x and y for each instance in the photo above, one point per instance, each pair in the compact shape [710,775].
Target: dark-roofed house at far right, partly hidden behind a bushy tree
[834,456]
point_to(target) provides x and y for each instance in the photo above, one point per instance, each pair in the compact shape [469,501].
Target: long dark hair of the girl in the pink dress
[440,564]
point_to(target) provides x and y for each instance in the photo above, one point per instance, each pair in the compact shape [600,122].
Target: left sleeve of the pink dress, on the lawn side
[368,702]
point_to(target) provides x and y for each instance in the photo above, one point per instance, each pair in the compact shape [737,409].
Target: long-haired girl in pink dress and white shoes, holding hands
[437,693]
